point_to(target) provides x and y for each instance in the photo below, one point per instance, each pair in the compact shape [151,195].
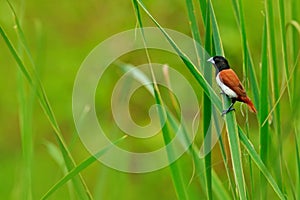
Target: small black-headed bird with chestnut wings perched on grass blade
[230,84]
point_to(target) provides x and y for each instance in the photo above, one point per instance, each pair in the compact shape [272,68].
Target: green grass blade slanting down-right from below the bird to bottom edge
[255,157]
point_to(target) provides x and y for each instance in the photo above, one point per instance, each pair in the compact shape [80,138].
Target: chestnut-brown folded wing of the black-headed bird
[231,80]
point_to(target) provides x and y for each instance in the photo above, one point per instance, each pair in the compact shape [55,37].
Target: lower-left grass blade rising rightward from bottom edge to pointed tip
[76,170]
